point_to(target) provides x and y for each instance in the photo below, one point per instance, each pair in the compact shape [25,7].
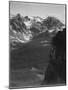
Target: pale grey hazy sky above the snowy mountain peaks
[35,9]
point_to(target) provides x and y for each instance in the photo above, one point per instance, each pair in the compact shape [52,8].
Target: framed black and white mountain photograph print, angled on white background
[37,44]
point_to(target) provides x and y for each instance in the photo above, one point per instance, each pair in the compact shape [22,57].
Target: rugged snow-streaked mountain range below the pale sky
[24,29]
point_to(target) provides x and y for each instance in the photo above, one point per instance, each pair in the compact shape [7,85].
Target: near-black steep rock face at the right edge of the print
[56,71]
